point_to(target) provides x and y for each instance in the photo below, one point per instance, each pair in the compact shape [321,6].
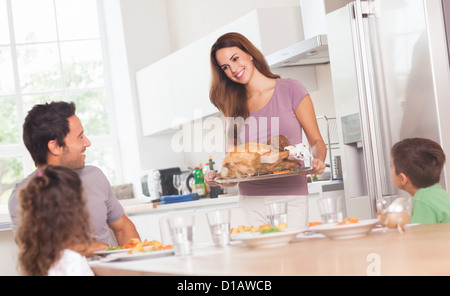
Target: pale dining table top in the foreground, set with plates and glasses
[418,250]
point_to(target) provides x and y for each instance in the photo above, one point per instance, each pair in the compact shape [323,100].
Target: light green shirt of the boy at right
[431,205]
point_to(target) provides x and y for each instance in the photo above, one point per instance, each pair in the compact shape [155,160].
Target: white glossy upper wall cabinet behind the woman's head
[175,90]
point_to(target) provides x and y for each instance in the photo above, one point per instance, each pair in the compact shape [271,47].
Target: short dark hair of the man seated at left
[46,122]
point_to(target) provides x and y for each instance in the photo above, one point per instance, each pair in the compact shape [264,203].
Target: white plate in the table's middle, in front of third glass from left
[263,240]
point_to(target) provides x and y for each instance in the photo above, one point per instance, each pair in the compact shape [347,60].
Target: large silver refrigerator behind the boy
[389,62]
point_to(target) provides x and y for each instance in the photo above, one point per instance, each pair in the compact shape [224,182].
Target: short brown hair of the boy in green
[421,160]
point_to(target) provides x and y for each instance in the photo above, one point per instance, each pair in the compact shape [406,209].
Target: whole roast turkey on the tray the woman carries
[251,159]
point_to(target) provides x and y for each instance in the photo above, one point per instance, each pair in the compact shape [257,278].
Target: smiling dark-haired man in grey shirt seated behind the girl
[54,135]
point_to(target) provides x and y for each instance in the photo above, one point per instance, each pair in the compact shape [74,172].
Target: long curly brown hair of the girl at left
[53,218]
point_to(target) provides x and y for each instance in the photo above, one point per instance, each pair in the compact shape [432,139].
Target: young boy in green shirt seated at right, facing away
[416,166]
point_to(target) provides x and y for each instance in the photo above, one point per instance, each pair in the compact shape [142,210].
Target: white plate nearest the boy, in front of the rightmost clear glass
[335,231]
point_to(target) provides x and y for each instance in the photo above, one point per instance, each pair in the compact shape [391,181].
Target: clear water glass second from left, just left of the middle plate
[219,224]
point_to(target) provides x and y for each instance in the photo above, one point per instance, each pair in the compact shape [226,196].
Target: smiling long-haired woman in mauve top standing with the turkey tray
[243,86]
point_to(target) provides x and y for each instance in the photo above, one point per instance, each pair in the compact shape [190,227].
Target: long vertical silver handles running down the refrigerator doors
[366,106]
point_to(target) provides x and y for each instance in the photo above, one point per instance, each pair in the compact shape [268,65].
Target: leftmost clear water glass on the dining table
[181,230]
